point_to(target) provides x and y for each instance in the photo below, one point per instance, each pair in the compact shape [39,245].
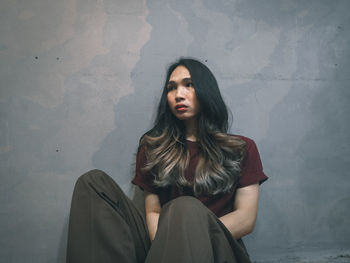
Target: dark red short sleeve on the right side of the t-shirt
[251,166]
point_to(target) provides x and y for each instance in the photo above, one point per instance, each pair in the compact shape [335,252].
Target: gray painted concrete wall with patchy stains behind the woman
[79,81]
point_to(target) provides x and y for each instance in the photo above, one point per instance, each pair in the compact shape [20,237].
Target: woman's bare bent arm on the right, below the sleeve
[241,221]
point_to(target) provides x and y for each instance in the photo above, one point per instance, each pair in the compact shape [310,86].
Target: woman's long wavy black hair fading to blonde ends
[219,153]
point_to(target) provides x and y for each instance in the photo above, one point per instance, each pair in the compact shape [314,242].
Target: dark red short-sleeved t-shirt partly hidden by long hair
[220,204]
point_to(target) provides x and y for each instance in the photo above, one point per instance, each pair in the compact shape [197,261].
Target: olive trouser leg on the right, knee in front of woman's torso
[189,232]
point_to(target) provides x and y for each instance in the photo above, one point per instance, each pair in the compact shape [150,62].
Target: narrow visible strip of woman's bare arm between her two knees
[152,210]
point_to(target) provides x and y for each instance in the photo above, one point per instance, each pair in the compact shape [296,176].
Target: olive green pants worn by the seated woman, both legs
[105,226]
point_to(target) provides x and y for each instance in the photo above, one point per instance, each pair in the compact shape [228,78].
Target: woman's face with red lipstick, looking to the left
[182,98]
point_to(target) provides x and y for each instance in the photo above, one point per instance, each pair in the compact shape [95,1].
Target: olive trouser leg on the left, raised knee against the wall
[104,225]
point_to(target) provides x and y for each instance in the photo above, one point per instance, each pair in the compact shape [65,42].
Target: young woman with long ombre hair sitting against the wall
[201,185]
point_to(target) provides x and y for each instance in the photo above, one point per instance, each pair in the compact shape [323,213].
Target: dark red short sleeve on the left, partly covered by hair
[142,178]
